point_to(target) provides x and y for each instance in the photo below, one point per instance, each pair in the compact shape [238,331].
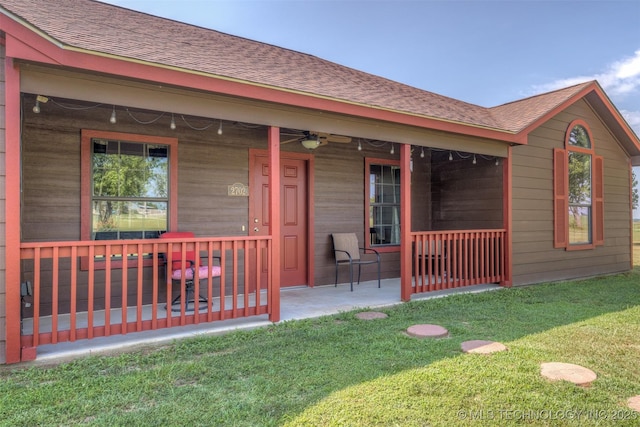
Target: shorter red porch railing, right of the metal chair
[452,259]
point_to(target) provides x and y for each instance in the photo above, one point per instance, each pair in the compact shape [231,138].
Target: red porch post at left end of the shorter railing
[405,222]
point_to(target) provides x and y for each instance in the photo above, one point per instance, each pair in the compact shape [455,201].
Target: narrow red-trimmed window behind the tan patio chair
[383,202]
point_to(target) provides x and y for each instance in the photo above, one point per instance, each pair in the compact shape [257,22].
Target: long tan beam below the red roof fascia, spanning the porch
[65,83]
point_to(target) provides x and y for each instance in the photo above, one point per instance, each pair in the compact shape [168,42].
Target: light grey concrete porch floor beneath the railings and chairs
[295,303]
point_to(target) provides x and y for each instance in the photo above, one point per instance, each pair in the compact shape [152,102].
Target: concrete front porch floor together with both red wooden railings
[85,293]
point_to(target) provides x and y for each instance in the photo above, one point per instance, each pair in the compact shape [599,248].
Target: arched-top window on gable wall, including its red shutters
[578,191]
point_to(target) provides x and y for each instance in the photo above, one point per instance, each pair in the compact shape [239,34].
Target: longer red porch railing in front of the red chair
[89,289]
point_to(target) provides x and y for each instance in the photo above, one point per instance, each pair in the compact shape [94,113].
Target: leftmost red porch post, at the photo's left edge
[11,282]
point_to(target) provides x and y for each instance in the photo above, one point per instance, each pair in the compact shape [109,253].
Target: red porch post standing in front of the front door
[274,221]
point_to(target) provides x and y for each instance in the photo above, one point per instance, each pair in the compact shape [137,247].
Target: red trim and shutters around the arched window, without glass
[561,190]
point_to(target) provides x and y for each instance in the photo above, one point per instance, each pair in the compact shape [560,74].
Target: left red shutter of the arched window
[560,200]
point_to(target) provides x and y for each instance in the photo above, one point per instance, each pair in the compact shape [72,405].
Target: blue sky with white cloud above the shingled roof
[483,52]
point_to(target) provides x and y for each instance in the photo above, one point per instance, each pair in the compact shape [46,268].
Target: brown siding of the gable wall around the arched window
[534,258]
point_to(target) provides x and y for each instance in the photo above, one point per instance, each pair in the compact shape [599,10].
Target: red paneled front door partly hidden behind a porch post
[293,176]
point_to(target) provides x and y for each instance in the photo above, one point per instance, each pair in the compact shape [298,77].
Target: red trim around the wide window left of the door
[85,197]
